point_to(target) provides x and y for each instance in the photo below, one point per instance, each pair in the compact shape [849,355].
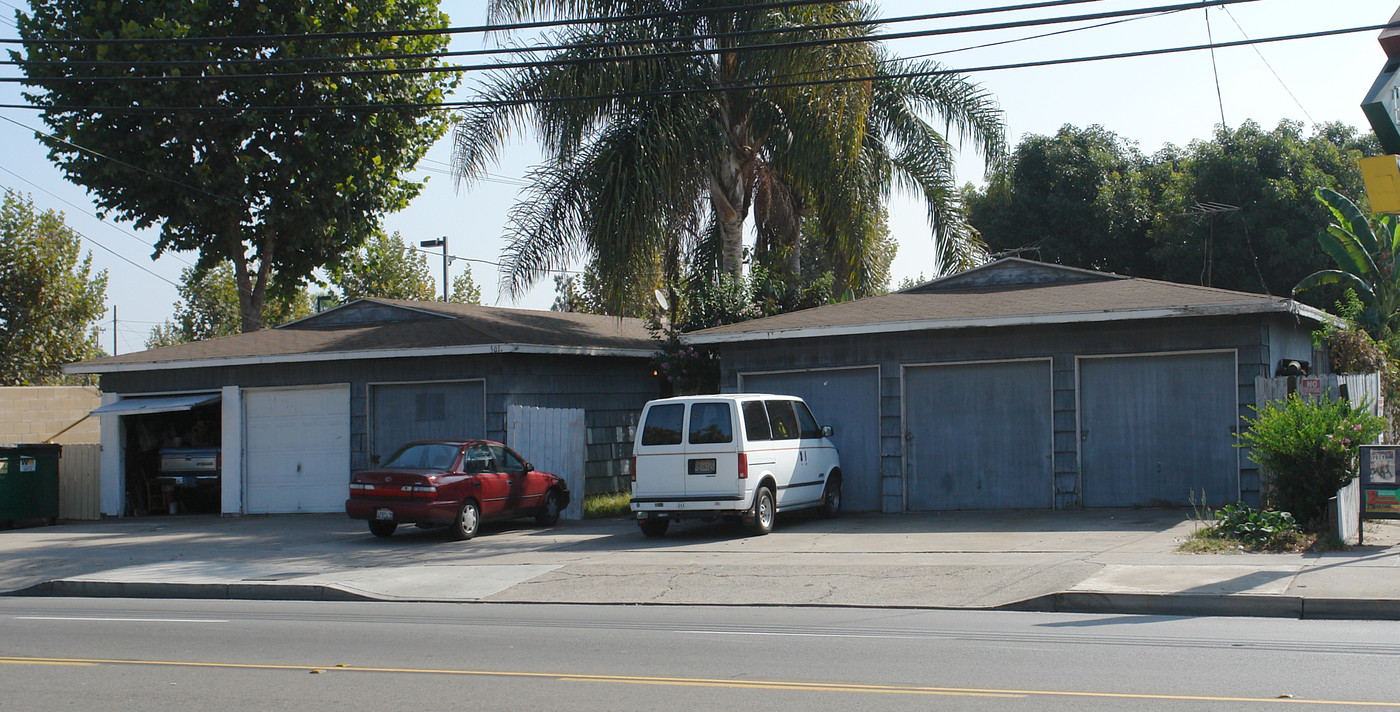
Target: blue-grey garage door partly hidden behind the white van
[849,402]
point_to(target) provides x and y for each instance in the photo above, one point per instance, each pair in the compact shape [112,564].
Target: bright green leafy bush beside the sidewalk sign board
[1310,451]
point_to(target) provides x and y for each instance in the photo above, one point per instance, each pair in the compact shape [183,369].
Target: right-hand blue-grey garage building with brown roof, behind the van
[1030,385]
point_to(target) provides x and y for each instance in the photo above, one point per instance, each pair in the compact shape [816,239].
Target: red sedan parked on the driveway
[454,483]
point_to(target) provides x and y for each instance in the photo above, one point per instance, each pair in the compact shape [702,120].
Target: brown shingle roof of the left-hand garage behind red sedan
[400,328]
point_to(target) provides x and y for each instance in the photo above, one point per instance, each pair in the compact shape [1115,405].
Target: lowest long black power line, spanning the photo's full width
[712,90]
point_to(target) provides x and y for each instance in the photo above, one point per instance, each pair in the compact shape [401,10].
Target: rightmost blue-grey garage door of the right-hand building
[1158,430]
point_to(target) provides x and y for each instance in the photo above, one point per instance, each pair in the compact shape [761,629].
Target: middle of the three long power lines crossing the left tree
[695,52]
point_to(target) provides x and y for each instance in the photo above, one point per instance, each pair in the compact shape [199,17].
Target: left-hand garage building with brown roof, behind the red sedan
[404,371]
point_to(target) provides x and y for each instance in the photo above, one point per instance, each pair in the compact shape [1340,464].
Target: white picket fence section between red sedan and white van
[552,440]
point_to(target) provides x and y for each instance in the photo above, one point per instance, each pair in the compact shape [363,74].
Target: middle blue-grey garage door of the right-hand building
[981,436]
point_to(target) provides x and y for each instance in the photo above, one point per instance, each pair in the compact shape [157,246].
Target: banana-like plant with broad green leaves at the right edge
[1366,254]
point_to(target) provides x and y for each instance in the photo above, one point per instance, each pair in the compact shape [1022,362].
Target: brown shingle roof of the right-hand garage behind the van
[964,303]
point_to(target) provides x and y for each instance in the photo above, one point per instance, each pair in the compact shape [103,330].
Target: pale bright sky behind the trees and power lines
[1153,101]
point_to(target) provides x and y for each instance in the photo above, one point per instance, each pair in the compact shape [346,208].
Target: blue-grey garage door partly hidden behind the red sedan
[423,412]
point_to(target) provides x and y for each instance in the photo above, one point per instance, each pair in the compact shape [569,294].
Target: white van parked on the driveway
[741,455]
